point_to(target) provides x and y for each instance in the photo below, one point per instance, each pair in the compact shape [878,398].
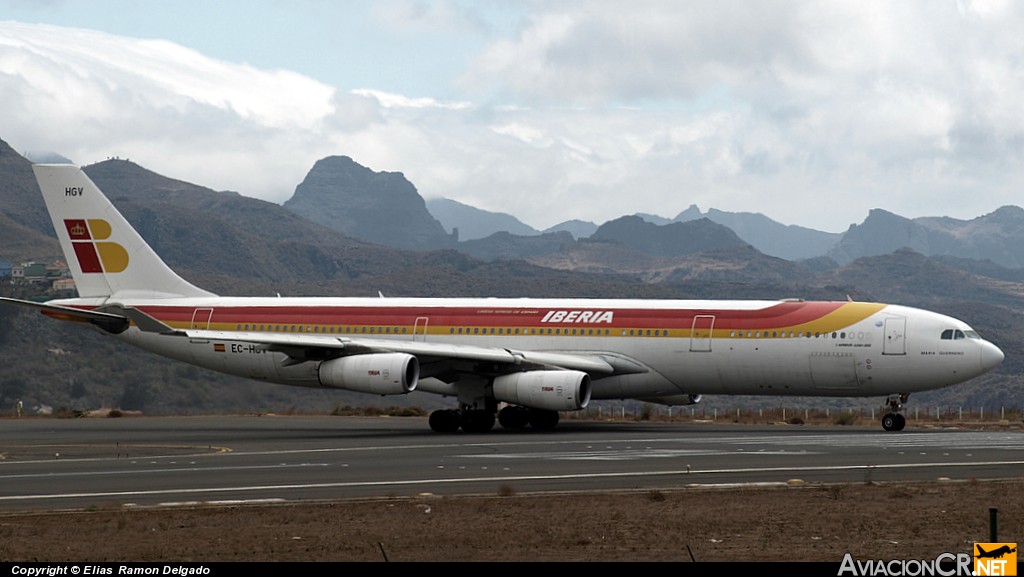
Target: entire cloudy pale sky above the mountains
[812,113]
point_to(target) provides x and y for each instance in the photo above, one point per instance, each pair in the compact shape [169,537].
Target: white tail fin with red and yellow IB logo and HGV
[107,257]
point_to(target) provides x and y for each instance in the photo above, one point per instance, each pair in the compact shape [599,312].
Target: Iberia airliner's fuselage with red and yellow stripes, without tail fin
[684,348]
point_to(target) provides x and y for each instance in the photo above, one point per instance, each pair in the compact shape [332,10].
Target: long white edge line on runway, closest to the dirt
[420,482]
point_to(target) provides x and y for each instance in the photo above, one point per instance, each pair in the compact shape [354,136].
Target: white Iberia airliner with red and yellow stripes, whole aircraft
[533,357]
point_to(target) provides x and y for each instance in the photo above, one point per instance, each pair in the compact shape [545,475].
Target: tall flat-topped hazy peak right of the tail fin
[378,208]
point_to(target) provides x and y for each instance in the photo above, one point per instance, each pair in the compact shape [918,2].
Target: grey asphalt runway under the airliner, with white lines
[50,465]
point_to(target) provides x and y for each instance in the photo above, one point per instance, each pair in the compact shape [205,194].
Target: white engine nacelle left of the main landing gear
[387,374]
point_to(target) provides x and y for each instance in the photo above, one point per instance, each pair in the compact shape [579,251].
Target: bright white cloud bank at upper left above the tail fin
[90,96]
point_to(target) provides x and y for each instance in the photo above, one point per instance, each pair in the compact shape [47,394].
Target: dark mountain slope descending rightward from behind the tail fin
[219,235]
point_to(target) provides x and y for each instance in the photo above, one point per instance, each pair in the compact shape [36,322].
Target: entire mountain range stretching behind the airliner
[351,231]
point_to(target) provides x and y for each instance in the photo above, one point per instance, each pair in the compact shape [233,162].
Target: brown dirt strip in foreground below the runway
[789,524]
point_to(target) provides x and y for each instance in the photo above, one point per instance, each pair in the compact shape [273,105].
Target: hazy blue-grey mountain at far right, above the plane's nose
[998,237]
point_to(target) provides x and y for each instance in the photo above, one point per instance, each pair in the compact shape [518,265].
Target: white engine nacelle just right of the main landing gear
[554,391]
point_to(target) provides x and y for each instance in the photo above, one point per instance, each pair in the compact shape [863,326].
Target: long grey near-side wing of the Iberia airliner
[310,347]
